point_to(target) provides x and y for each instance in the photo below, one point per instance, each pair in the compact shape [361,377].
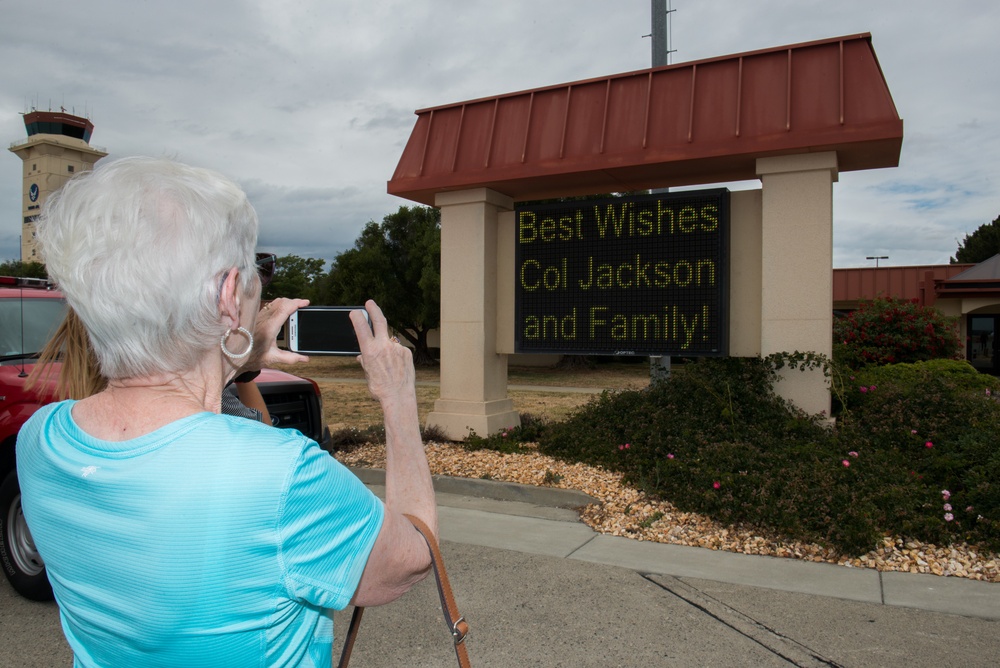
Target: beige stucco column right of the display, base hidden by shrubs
[797,268]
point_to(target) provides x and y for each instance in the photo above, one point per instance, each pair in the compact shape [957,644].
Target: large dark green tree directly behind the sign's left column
[398,264]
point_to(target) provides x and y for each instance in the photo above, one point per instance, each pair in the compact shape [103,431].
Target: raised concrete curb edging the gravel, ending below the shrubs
[493,489]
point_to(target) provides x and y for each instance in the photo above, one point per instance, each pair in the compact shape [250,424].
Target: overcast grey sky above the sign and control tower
[308,103]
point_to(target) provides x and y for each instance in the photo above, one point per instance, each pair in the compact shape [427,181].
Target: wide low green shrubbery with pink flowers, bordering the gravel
[715,439]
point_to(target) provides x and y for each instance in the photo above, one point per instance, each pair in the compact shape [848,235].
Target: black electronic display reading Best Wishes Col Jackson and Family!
[635,275]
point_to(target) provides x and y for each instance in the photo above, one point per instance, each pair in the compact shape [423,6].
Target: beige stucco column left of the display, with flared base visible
[473,374]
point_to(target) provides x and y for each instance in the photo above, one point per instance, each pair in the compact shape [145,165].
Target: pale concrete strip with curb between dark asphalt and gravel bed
[540,520]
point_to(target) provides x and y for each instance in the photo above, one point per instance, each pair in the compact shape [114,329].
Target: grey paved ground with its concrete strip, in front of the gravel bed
[539,588]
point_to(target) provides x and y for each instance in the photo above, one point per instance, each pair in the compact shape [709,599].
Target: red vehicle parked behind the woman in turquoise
[30,311]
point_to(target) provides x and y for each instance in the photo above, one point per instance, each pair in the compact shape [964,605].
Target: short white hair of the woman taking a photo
[140,247]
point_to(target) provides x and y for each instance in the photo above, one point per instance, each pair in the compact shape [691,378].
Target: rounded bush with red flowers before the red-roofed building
[891,331]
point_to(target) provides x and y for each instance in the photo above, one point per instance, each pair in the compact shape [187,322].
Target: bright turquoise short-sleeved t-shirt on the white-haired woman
[213,541]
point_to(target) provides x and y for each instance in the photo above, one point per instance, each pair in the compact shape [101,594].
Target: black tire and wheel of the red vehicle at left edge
[21,562]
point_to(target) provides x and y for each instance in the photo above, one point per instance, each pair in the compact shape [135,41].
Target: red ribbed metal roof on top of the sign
[699,122]
